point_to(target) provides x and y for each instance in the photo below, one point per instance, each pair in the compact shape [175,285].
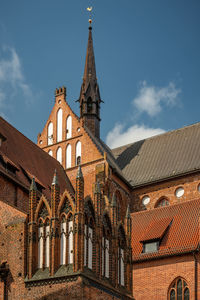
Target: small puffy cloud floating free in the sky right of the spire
[151,99]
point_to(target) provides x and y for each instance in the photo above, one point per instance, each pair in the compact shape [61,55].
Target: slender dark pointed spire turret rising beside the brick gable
[89,95]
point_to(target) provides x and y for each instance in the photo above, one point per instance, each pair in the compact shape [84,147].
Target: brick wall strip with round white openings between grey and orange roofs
[167,189]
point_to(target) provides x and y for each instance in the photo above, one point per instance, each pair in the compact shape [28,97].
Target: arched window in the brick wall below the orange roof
[179,290]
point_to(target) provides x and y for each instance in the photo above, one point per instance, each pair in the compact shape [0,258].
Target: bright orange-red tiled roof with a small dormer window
[181,236]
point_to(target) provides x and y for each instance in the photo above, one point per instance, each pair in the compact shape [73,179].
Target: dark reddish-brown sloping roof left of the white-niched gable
[30,161]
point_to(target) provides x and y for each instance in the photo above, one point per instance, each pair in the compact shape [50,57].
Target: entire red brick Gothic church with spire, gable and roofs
[79,220]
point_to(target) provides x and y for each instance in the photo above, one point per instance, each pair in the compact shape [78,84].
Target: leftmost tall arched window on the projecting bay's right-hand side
[88,234]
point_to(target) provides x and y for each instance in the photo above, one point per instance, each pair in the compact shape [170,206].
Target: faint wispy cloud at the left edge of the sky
[12,80]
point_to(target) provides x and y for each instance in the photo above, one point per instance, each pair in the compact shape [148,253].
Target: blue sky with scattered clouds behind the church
[147,59]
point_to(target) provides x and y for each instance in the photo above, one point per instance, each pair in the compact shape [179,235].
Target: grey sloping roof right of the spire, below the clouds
[164,156]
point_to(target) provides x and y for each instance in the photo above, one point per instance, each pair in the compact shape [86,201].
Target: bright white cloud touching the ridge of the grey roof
[119,136]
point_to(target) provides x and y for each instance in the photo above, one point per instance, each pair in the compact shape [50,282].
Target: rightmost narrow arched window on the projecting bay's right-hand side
[121,256]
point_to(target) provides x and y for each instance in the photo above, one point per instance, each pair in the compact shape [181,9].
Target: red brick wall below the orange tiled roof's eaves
[151,279]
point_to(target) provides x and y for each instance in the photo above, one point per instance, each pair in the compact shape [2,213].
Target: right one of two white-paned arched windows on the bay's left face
[66,240]
